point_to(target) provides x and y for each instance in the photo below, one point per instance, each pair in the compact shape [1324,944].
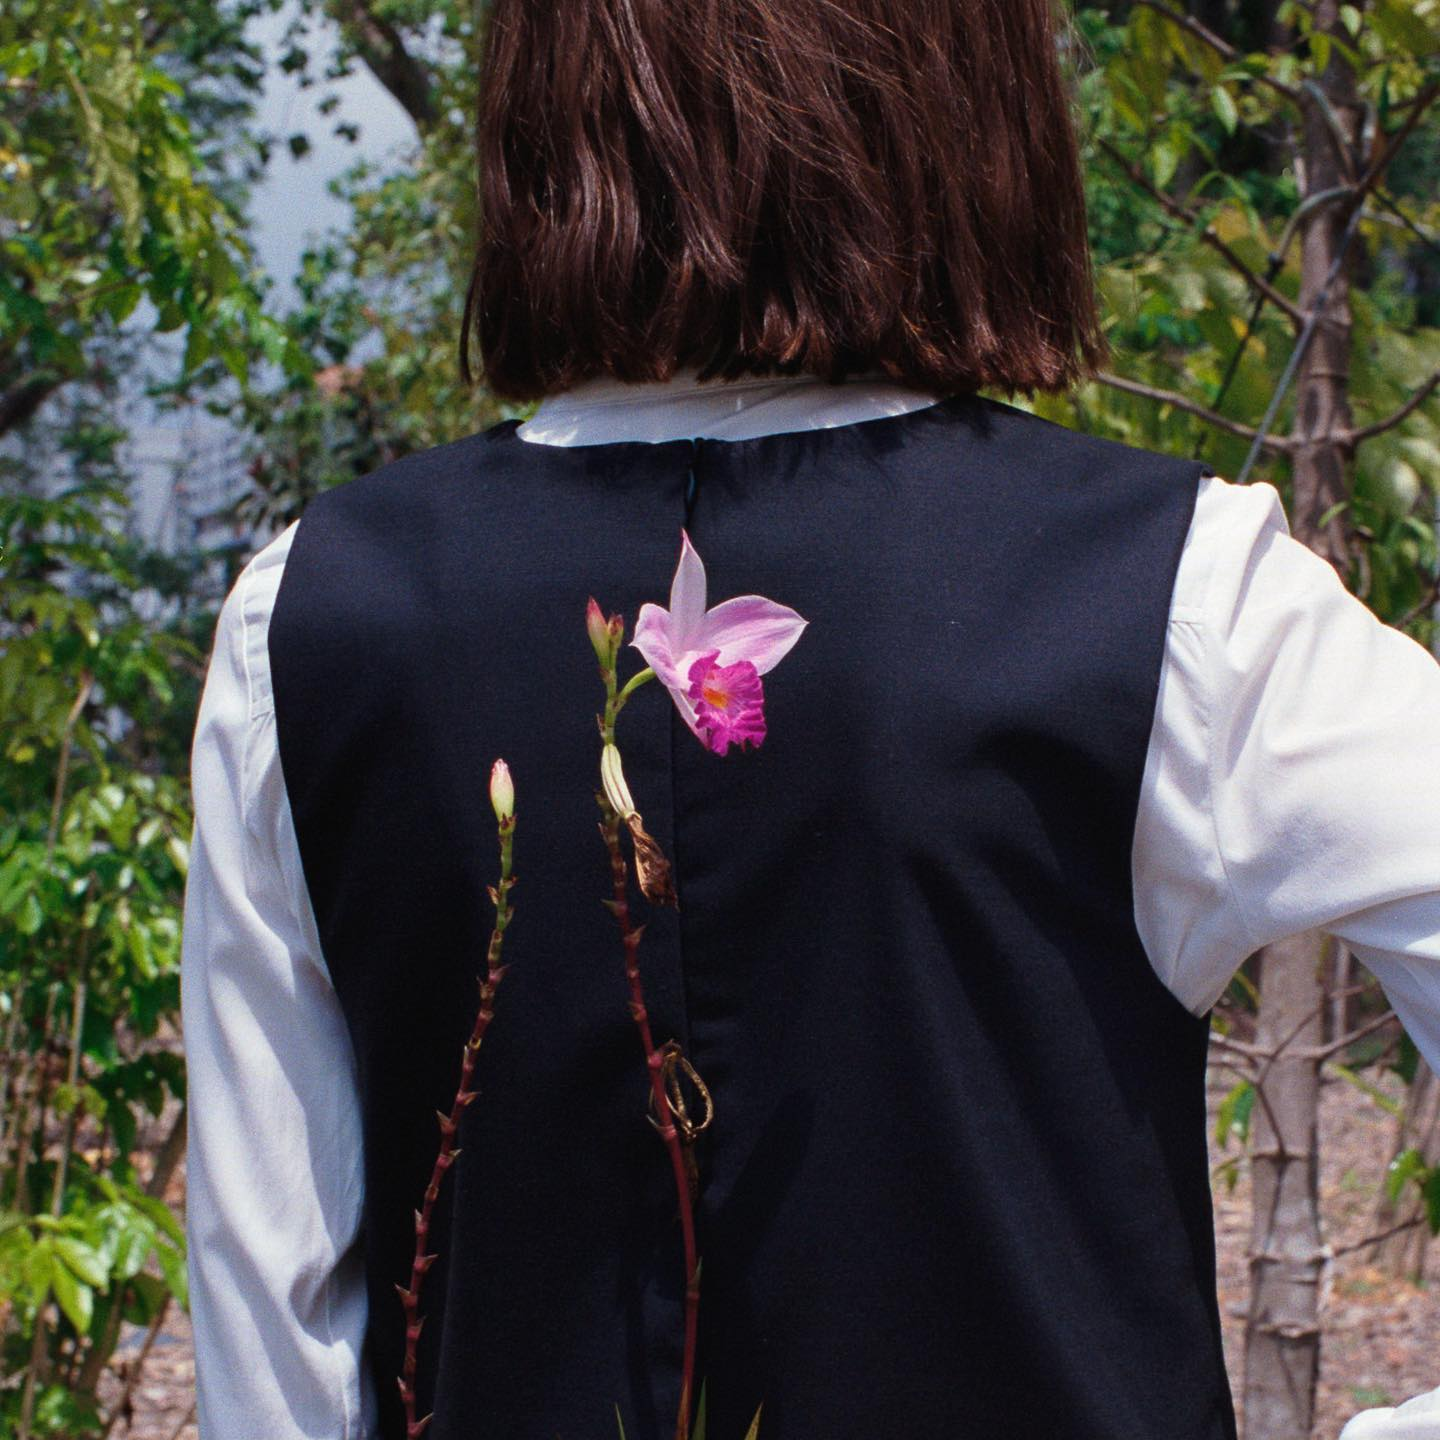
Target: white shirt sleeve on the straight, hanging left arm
[274,1169]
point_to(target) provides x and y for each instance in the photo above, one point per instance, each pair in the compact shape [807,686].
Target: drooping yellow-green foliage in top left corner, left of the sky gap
[109,201]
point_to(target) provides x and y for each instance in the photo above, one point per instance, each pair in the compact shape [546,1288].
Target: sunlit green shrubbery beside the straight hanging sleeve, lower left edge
[94,846]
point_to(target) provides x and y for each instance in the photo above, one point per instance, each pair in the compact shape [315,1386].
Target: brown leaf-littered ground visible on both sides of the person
[1382,1341]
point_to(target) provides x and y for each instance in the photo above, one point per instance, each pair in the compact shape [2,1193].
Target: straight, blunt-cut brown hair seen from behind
[775,186]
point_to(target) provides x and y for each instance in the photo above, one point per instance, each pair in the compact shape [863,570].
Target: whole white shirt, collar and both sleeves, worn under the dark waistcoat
[1292,783]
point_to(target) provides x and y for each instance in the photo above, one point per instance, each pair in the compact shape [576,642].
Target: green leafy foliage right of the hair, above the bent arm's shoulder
[1192,155]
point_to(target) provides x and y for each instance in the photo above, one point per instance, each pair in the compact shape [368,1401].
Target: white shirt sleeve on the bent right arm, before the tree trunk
[1294,783]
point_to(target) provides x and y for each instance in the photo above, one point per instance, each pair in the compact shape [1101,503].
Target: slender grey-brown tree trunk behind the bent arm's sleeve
[1288,1249]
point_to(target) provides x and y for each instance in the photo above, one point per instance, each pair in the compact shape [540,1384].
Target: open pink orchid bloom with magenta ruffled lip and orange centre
[712,662]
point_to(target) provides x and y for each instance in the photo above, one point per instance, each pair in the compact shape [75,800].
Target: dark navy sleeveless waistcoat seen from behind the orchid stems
[957,1182]
